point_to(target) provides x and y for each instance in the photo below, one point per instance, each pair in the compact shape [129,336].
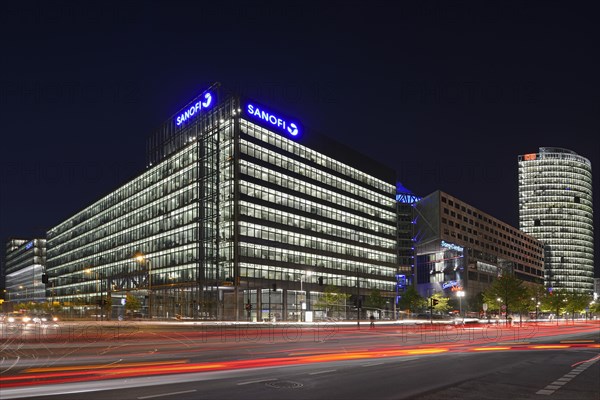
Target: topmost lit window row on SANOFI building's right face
[304,152]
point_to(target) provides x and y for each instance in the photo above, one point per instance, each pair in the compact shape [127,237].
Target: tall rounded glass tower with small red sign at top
[555,206]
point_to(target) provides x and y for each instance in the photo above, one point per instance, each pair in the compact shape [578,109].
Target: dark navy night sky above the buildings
[447,94]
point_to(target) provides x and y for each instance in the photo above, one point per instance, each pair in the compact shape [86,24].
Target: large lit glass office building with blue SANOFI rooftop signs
[241,213]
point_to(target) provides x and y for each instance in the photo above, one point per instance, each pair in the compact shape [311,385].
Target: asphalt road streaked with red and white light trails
[559,363]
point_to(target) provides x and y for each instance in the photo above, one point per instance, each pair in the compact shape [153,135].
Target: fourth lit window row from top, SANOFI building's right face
[296,203]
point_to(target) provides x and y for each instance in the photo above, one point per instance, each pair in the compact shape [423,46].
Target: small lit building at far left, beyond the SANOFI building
[24,267]
